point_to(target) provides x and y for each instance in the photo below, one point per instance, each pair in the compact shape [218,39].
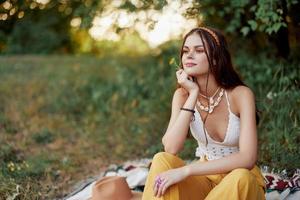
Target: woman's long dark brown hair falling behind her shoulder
[219,59]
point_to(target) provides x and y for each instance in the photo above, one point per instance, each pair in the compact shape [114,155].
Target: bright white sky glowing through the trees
[169,23]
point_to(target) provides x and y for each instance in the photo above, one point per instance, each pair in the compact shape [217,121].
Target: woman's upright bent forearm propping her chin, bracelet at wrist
[173,139]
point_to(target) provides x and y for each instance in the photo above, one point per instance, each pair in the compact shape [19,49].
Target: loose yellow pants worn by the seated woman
[238,184]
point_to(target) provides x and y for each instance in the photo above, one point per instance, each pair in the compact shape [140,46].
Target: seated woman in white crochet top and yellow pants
[220,111]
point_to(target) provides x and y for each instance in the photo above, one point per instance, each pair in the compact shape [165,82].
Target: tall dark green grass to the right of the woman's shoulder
[276,84]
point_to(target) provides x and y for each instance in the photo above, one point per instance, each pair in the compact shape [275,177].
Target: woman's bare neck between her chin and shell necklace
[211,87]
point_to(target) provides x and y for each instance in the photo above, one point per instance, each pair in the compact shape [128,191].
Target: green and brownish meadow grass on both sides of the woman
[65,118]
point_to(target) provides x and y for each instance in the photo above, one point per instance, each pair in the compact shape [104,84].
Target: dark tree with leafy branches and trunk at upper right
[273,19]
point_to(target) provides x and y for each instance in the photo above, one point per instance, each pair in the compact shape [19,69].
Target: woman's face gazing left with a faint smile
[194,59]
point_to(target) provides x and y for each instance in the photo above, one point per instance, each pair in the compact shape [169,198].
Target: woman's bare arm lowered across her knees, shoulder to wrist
[246,157]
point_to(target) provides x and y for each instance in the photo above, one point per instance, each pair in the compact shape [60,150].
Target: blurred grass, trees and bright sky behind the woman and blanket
[86,83]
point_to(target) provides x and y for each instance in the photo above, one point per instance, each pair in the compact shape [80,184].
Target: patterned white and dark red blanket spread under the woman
[279,186]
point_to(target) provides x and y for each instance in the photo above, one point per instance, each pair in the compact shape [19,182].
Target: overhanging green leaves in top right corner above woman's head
[265,16]
